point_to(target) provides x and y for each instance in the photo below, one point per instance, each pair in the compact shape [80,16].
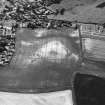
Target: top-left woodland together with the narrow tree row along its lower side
[33,13]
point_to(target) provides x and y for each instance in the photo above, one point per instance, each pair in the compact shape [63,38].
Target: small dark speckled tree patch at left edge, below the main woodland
[7,49]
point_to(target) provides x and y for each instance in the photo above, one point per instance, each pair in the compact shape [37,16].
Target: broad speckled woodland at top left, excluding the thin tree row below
[23,10]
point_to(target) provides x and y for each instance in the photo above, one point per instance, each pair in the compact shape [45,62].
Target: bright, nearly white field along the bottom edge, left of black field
[55,98]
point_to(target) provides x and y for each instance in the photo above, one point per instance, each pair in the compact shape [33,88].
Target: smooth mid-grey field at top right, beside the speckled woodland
[81,10]
